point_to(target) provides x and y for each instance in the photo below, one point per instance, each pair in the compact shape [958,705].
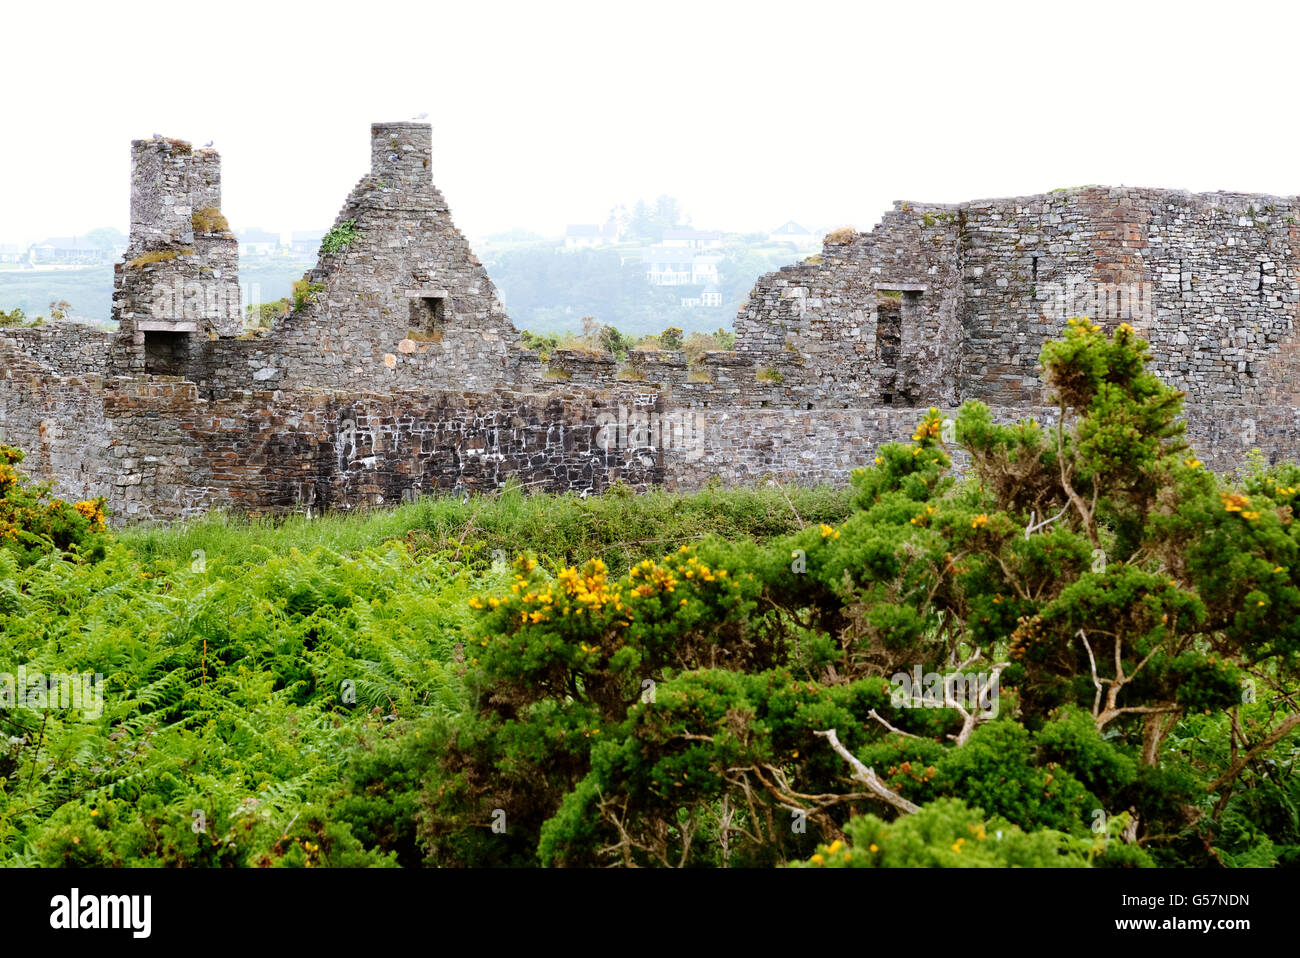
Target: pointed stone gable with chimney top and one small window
[366,330]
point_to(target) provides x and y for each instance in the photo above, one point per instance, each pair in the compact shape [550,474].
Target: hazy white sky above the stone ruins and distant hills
[547,114]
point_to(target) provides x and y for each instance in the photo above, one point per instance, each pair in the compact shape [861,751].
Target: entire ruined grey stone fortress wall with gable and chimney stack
[402,375]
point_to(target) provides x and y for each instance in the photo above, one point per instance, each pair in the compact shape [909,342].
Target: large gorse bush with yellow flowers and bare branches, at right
[1091,579]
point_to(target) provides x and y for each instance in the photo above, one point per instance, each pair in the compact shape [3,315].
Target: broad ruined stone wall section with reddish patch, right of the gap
[1210,279]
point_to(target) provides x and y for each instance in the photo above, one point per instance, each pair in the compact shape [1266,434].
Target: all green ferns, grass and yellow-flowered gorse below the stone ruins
[1084,653]
